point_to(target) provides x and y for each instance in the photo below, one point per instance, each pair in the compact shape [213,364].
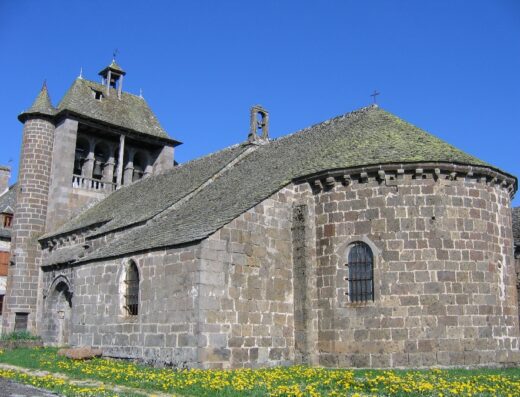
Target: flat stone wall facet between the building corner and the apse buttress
[246,291]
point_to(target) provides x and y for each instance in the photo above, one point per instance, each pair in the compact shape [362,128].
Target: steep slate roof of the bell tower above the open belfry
[130,112]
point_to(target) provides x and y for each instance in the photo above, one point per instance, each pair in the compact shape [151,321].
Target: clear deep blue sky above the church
[451,67]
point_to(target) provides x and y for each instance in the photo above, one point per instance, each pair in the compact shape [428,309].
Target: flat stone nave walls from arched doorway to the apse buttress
[226,302]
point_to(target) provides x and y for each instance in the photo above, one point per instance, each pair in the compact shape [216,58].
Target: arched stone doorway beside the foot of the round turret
[59,309]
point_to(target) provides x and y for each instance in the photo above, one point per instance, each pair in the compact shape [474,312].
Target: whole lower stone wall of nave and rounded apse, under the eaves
[269,288]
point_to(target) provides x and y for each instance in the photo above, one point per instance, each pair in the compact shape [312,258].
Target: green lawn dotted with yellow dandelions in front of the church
[287,381]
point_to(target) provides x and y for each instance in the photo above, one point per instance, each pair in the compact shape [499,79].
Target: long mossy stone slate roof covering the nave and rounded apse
[368,136]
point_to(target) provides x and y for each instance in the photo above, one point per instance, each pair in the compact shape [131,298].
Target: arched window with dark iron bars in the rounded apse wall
[360,265]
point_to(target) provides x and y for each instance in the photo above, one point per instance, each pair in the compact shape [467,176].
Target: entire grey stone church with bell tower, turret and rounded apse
[361,241]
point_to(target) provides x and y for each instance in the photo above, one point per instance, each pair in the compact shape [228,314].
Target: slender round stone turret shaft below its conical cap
[29,222]
